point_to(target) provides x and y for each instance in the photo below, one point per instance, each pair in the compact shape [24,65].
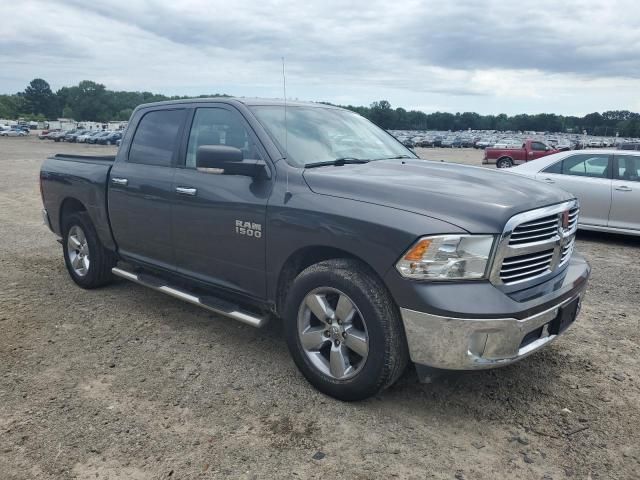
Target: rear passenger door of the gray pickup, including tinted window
[141,189]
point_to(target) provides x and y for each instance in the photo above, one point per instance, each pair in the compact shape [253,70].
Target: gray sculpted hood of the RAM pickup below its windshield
[476,199]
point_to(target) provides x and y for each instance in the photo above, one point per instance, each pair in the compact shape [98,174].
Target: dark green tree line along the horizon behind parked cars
[92,101]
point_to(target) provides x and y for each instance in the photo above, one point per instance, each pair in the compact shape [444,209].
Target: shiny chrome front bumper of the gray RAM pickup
[466,343]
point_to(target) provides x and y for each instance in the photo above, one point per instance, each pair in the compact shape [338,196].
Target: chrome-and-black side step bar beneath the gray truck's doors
[209,303]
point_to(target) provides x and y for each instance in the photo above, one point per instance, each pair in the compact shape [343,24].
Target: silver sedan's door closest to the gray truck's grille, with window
[587,176]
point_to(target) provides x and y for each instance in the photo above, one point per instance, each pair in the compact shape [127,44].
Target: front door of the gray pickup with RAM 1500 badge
[219,220]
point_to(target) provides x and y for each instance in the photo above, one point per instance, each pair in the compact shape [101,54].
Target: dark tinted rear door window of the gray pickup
[156,138]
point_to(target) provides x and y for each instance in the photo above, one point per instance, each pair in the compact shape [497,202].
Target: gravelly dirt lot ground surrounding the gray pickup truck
[127,383]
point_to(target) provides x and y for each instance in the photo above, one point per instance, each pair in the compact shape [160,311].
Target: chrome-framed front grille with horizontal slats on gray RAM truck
[535,245]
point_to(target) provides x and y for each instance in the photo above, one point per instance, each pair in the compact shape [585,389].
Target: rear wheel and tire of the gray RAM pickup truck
[89,264]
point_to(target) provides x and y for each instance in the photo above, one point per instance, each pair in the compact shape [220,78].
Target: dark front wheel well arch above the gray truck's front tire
[302,259]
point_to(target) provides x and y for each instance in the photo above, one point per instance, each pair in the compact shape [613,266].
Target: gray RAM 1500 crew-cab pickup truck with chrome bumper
[370,256]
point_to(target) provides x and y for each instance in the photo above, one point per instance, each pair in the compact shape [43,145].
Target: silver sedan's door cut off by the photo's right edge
[625,201]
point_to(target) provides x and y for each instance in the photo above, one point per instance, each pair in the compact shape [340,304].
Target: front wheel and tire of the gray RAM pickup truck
[344,330]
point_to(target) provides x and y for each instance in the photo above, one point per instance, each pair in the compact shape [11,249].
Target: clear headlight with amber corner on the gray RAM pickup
[447,257]
